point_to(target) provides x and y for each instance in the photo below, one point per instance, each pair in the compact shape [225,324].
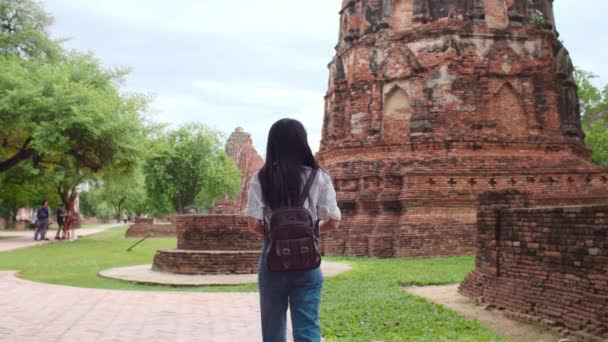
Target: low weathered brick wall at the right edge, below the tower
[543,264]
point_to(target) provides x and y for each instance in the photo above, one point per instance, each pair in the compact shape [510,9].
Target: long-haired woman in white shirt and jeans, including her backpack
[290,178]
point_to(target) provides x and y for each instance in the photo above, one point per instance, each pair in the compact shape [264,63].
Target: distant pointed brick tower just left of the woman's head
[240,148]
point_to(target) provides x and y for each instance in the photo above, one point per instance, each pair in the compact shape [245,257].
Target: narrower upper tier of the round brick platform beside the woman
[215,233]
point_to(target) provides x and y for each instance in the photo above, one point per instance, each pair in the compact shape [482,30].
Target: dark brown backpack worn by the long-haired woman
[294,236]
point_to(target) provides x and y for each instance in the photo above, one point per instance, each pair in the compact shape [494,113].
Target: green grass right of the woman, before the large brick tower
[369,303]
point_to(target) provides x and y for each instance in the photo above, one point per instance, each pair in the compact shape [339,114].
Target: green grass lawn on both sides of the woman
[365,304]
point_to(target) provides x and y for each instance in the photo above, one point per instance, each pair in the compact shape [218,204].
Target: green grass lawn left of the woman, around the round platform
[77,263]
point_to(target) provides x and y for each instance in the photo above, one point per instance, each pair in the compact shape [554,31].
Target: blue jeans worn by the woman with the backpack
[301,291]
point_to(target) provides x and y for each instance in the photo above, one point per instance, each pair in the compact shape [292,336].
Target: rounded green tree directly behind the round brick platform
[189,168]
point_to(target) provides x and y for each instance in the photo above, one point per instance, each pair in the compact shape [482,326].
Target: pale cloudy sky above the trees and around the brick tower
[250,62]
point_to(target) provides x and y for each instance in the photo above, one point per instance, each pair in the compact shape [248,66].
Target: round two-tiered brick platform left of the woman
[209,245]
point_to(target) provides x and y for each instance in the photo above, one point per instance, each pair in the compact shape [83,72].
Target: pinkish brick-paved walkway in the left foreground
[41,312]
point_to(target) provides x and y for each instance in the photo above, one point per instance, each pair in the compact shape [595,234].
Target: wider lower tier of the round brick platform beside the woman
[194,262]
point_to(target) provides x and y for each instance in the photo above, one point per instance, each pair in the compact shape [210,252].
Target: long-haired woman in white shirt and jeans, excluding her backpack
[289,162]
